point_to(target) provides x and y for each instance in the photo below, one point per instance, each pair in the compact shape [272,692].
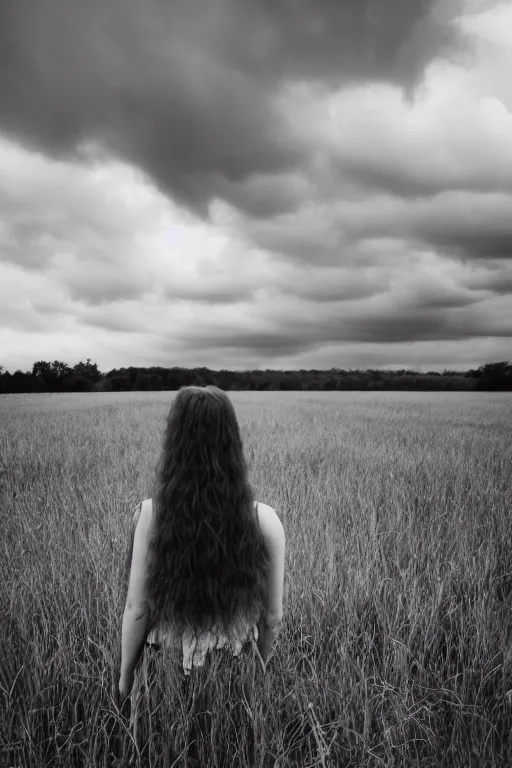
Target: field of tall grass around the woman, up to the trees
[396,644]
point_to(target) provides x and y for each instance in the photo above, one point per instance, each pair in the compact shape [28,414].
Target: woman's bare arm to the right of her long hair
[270,621]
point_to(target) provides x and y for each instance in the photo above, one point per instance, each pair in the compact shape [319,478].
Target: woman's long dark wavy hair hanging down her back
[207,561]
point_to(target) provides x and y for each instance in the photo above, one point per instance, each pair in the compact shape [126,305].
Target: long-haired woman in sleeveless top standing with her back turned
[207,563]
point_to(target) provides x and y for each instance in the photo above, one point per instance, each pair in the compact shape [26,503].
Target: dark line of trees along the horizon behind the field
[85,376]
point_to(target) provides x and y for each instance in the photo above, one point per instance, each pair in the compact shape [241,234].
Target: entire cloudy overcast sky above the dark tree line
[256,183]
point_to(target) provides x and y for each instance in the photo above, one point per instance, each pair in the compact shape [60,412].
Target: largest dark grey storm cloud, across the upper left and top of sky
[186,89]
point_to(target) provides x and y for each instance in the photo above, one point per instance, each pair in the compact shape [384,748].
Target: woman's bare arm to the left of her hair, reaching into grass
[136,612]
